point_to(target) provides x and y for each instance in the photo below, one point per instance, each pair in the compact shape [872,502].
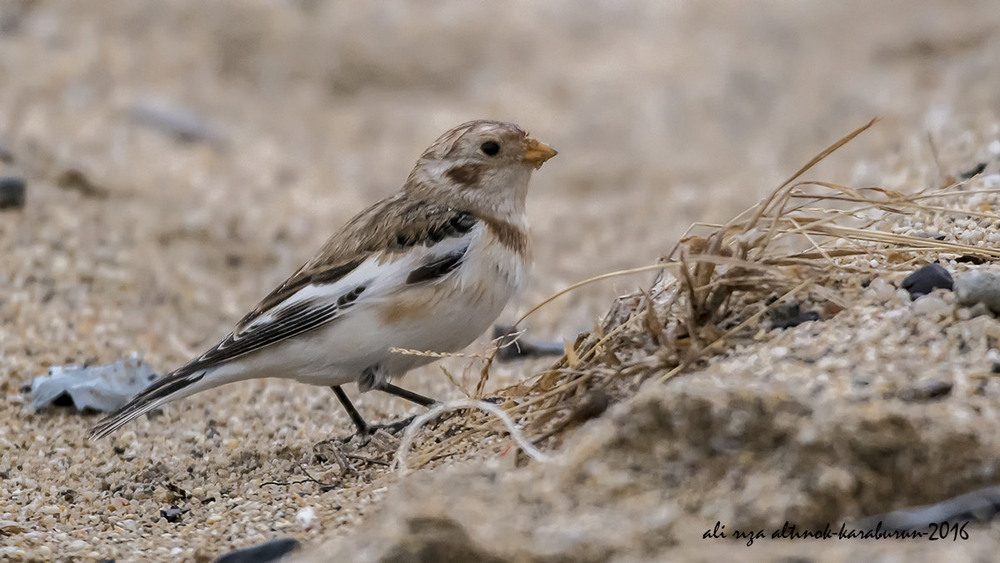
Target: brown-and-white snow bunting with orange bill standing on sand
[429,268]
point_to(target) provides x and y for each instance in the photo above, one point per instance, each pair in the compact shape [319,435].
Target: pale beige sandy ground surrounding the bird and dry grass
[135,238]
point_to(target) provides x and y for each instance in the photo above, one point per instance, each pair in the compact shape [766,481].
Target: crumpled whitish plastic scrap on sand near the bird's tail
[100,388]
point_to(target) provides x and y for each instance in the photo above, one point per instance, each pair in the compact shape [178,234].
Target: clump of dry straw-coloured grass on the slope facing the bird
[713,291]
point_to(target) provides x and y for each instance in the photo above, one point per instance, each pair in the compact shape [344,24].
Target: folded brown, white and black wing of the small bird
[397,242]
